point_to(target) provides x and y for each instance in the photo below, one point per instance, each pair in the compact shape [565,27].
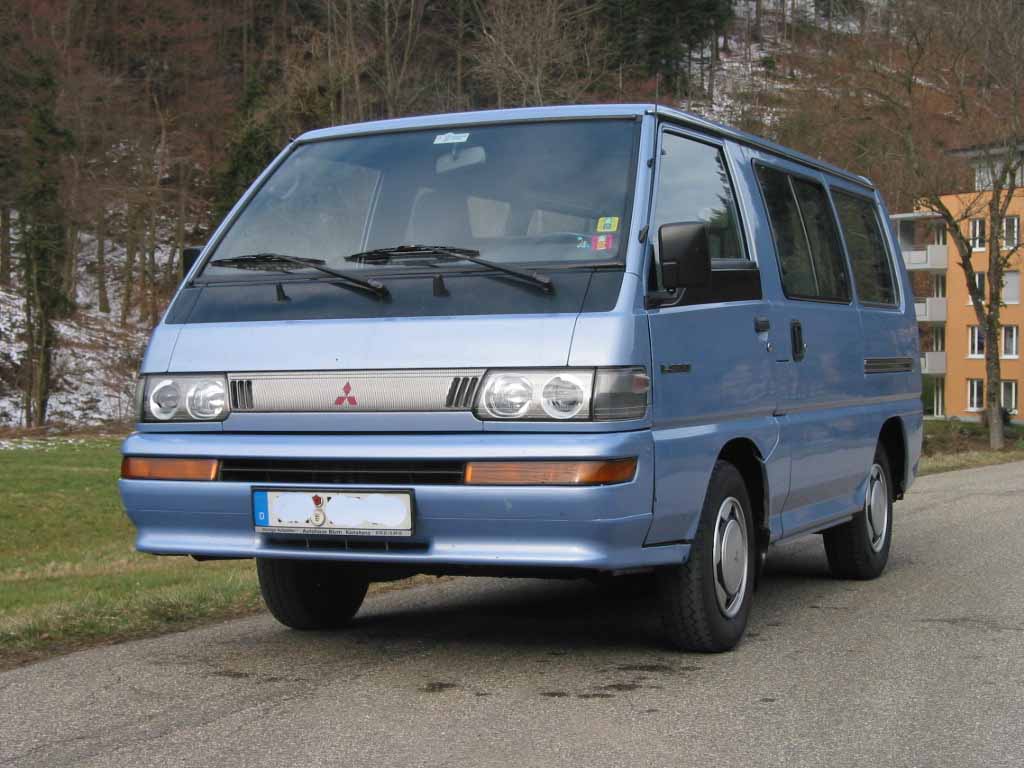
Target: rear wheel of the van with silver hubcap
[857,549]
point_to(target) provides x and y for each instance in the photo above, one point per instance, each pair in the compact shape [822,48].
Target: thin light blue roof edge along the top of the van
[581,111]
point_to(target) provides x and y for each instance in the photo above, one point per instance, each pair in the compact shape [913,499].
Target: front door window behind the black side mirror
[694,186]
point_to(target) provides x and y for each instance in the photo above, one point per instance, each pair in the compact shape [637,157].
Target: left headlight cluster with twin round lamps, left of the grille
[183,399]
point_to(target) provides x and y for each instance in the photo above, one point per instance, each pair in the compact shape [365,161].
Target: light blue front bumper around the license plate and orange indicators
[457,527]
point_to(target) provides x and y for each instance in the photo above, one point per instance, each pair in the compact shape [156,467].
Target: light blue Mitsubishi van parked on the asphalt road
[575,342]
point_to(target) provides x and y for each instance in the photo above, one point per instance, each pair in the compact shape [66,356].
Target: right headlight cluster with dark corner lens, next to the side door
[565,395]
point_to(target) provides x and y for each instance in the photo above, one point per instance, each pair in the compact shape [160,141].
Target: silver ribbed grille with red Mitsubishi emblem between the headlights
[355,392]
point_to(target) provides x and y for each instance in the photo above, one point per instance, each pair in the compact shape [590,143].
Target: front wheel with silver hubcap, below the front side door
[698,612]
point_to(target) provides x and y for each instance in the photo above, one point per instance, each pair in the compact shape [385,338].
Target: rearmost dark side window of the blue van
[873,271]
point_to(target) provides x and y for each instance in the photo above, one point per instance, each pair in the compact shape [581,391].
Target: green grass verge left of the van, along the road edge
[69,575]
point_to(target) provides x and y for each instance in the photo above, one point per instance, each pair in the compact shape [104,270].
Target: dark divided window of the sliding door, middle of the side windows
[806,239]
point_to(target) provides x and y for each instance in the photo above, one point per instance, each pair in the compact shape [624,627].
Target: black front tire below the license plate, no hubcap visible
[312,594]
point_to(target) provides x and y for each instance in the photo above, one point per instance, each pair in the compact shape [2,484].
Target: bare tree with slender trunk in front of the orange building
[942,94]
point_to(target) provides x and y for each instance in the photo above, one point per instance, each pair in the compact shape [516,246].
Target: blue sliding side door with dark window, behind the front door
[821,408]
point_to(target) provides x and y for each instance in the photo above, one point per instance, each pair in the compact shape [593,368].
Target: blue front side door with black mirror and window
[711,348]
